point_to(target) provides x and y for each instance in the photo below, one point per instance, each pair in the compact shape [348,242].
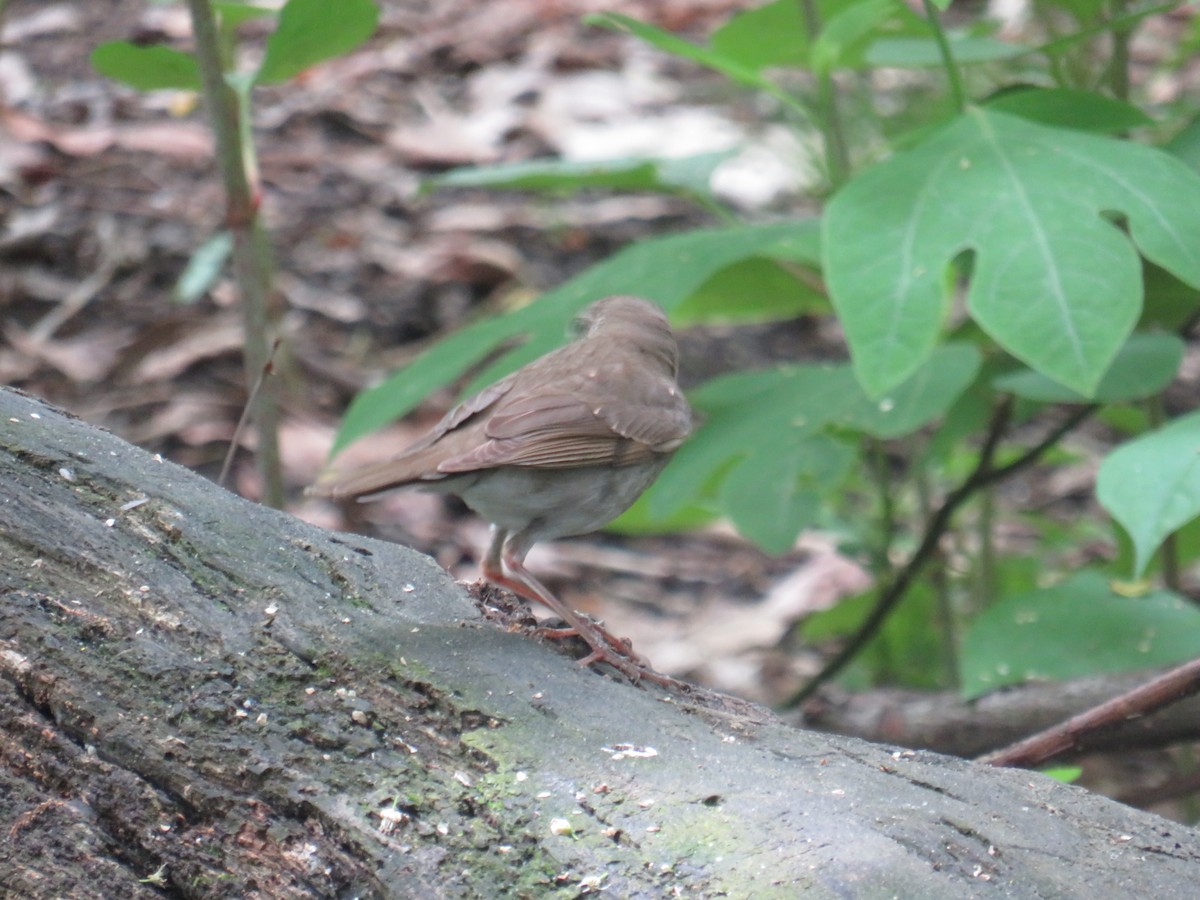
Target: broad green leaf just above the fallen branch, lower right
[1075,629]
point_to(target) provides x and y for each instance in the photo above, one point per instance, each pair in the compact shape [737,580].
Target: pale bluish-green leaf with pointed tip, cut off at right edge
[1153,485]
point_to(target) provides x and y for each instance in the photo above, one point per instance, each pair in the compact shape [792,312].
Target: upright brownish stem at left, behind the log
[251,249]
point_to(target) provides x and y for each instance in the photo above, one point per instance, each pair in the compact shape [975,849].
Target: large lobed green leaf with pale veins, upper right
[1054,281]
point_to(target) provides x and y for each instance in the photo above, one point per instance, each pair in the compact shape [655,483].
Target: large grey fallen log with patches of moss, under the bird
[203,698]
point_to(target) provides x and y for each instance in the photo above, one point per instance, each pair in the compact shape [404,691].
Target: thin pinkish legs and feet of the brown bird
[505,567]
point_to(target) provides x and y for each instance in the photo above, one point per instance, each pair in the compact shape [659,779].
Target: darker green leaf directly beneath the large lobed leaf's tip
[1145,365]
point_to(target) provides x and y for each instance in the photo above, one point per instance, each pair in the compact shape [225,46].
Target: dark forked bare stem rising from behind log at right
[983,476]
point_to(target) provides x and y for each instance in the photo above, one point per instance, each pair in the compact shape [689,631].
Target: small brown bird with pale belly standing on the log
[561,447]
